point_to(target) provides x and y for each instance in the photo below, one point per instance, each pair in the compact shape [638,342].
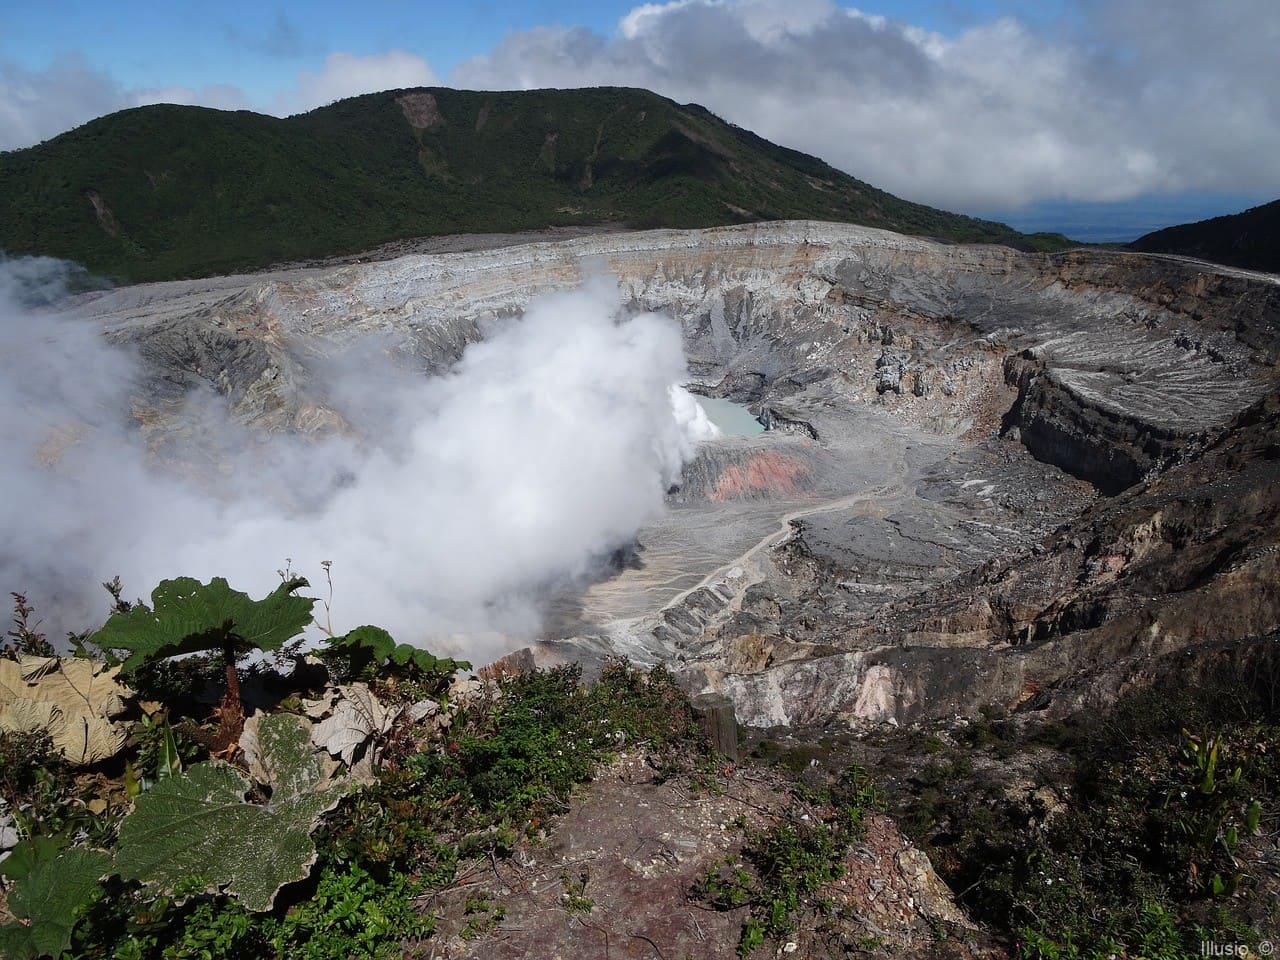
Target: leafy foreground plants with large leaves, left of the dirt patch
[268,848]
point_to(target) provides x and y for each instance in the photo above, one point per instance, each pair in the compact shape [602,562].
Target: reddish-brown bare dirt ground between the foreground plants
[614,879]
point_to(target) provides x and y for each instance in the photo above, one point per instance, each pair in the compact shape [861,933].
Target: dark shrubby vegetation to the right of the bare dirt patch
[1142,831]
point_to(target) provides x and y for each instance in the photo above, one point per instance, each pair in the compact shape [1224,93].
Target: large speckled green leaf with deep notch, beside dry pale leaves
[198,826]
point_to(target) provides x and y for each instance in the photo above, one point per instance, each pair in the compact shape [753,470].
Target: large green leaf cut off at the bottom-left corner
[51,889]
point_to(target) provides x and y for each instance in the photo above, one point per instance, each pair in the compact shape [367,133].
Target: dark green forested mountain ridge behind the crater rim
[162,193]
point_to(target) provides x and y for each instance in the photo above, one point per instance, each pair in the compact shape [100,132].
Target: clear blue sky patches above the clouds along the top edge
[260,47]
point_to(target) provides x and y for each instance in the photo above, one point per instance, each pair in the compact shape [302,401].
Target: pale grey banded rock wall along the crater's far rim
[1122,359]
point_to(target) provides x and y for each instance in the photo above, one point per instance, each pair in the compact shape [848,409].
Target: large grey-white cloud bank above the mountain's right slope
[996,116]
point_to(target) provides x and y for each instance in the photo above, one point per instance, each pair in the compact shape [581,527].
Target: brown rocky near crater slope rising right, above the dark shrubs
[1164,580]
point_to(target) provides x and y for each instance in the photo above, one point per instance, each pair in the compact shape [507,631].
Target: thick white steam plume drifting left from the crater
[464,502]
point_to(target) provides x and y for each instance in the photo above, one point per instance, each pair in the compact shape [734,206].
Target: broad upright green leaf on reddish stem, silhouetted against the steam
[188,616]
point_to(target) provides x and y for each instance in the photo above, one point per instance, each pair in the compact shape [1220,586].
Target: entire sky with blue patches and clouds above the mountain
[1105,118]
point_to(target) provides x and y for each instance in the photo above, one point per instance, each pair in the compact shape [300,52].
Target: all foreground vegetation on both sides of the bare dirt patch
[1142,831]
